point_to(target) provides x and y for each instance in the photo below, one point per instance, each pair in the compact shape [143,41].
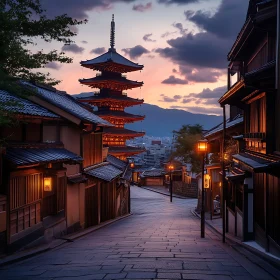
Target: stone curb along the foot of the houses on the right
[270,259]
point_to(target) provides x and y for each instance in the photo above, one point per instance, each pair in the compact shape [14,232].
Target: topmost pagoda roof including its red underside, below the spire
[113,62]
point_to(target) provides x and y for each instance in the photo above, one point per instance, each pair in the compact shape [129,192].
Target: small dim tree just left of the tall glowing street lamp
[185,141]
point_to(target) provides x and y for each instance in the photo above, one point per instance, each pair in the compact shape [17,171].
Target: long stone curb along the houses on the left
[20,256]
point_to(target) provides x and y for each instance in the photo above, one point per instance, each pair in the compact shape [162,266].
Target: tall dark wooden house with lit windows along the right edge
[254,61]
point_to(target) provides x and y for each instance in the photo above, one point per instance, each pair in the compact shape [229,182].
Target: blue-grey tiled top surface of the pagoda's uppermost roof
[112,56]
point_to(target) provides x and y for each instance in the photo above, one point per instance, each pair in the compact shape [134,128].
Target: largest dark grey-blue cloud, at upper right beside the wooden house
[208,48]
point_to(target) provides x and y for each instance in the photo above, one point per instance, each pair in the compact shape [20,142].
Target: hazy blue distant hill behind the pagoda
[161,122]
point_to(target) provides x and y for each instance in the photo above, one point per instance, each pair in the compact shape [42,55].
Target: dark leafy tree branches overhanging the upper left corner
[22,24]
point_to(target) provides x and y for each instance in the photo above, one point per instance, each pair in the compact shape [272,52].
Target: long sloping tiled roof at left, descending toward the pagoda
[68,104]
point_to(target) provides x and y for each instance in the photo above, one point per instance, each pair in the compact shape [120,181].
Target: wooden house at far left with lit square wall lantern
[33,179]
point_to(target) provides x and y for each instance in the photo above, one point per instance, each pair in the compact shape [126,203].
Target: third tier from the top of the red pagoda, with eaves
[101,100]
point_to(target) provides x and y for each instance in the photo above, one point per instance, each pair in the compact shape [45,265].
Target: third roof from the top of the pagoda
[100,98]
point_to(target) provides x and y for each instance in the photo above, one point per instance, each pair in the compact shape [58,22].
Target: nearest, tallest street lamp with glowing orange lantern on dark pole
[202,148]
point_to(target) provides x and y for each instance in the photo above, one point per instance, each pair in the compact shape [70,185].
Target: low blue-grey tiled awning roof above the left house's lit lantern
[28,156]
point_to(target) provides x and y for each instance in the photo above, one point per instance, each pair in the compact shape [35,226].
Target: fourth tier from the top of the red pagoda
[119,116]
